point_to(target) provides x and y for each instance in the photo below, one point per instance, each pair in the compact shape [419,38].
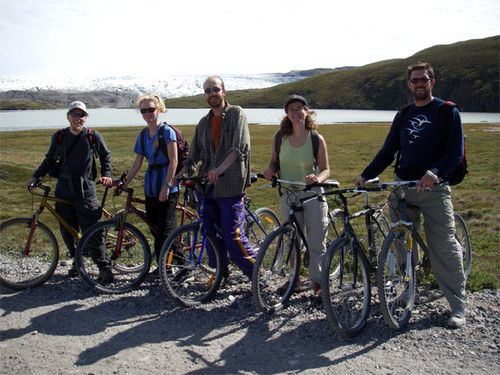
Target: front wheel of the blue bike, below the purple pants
[190,271]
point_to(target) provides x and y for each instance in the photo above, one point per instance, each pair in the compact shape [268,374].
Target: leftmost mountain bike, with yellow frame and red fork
[29,251]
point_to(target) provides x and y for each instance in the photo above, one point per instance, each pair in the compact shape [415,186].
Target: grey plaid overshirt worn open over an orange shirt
[234,136]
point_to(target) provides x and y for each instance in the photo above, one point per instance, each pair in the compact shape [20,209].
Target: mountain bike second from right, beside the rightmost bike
[350,260]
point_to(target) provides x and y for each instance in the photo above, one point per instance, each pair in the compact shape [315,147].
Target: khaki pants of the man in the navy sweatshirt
[445,253]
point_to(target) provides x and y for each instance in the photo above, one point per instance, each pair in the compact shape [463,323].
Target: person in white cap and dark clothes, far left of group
[74,149]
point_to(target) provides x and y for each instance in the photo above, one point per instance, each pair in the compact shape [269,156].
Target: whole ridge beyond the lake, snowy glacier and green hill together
[467,73]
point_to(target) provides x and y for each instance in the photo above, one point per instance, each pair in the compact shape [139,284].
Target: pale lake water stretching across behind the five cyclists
[111,117]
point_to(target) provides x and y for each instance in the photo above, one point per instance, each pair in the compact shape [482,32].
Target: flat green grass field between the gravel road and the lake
[350,148]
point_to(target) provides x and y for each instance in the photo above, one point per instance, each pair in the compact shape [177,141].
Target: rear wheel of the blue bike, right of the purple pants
[257,230]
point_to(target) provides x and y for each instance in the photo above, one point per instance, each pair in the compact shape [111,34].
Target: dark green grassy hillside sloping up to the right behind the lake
[467,73]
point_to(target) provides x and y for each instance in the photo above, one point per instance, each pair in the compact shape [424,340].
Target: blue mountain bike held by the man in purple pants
[192,277]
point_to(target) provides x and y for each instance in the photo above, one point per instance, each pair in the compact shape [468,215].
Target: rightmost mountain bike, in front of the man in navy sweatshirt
[399,259]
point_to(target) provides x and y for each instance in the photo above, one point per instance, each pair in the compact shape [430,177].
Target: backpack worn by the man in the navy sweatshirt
[456,176]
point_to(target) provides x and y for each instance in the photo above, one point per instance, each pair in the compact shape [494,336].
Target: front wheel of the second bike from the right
[345,292]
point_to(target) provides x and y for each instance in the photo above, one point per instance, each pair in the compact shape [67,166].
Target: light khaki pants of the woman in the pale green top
[313,221]
